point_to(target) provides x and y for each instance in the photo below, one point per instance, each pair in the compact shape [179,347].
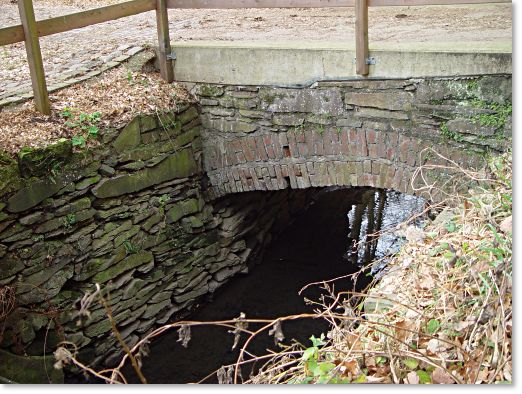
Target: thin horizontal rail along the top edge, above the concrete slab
[230,4]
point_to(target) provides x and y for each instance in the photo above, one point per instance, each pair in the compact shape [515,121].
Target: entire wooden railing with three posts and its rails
[30,30]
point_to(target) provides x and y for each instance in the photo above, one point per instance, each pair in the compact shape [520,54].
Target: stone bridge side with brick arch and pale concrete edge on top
[267,126]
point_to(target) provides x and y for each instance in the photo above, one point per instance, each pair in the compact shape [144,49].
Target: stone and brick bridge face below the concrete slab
[351,133]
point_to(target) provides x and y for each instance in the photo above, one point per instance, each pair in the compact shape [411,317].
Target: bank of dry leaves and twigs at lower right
[441,315]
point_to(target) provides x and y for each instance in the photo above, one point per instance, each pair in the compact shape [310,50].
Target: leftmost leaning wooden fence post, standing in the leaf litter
[34,56]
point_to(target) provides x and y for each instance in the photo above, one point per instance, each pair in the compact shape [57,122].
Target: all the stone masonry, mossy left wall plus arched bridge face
[170,206]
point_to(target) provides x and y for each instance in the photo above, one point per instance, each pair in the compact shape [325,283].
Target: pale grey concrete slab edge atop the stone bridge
[302,63]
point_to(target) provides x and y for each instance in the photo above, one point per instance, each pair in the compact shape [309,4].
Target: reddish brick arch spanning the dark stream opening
[300,159]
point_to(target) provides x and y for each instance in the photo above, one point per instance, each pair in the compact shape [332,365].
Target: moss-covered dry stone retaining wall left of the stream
[130,215]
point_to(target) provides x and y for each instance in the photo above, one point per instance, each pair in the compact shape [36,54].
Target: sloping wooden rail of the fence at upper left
[12,34]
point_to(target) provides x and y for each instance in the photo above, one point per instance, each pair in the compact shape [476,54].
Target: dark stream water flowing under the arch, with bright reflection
[315,247]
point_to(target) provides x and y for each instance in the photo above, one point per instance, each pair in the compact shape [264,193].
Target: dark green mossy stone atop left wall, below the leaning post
[44,161]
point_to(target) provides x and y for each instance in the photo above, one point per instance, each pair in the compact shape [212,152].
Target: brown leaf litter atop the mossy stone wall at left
[109,100]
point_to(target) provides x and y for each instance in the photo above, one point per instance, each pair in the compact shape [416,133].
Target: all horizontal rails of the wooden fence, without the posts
[13,34]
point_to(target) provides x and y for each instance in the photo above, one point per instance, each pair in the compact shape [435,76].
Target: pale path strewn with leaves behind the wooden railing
[68,56]
